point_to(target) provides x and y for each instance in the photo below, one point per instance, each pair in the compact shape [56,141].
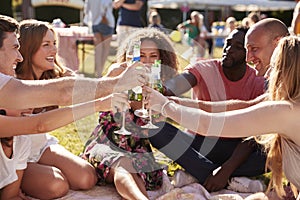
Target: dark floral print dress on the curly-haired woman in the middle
[104,148]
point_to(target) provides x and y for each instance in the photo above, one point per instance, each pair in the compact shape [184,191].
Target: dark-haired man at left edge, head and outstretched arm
[65,91]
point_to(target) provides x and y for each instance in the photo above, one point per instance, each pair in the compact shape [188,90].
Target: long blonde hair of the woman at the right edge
[284,85]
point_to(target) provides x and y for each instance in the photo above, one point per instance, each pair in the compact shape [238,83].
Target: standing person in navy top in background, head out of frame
[129,17]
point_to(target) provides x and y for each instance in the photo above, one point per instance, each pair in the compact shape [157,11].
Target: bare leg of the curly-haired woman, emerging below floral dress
[128,183]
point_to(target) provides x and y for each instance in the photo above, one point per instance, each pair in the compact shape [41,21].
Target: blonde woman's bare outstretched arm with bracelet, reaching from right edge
[263,118]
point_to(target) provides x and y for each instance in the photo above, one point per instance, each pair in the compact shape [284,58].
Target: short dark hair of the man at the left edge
[7,24]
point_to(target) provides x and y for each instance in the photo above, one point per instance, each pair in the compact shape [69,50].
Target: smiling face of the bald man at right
[259,47]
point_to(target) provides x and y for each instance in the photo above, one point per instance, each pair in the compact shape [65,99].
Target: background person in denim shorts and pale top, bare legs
[99,15]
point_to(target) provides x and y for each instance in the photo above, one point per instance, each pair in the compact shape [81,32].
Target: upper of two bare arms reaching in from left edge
[67,90]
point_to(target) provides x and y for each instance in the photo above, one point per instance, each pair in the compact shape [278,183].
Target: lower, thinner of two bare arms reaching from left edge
[48,121]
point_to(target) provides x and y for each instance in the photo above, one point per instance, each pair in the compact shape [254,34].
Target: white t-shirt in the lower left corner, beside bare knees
[9,166]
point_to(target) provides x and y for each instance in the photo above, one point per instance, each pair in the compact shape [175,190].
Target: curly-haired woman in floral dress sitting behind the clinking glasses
[128,161]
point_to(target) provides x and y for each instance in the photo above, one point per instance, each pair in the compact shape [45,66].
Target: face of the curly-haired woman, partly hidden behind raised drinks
[149,52]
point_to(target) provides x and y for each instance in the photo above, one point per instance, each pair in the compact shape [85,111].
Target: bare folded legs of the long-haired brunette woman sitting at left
[57,171]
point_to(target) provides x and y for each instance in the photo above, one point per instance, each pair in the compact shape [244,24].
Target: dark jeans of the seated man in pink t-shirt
[200,155]
